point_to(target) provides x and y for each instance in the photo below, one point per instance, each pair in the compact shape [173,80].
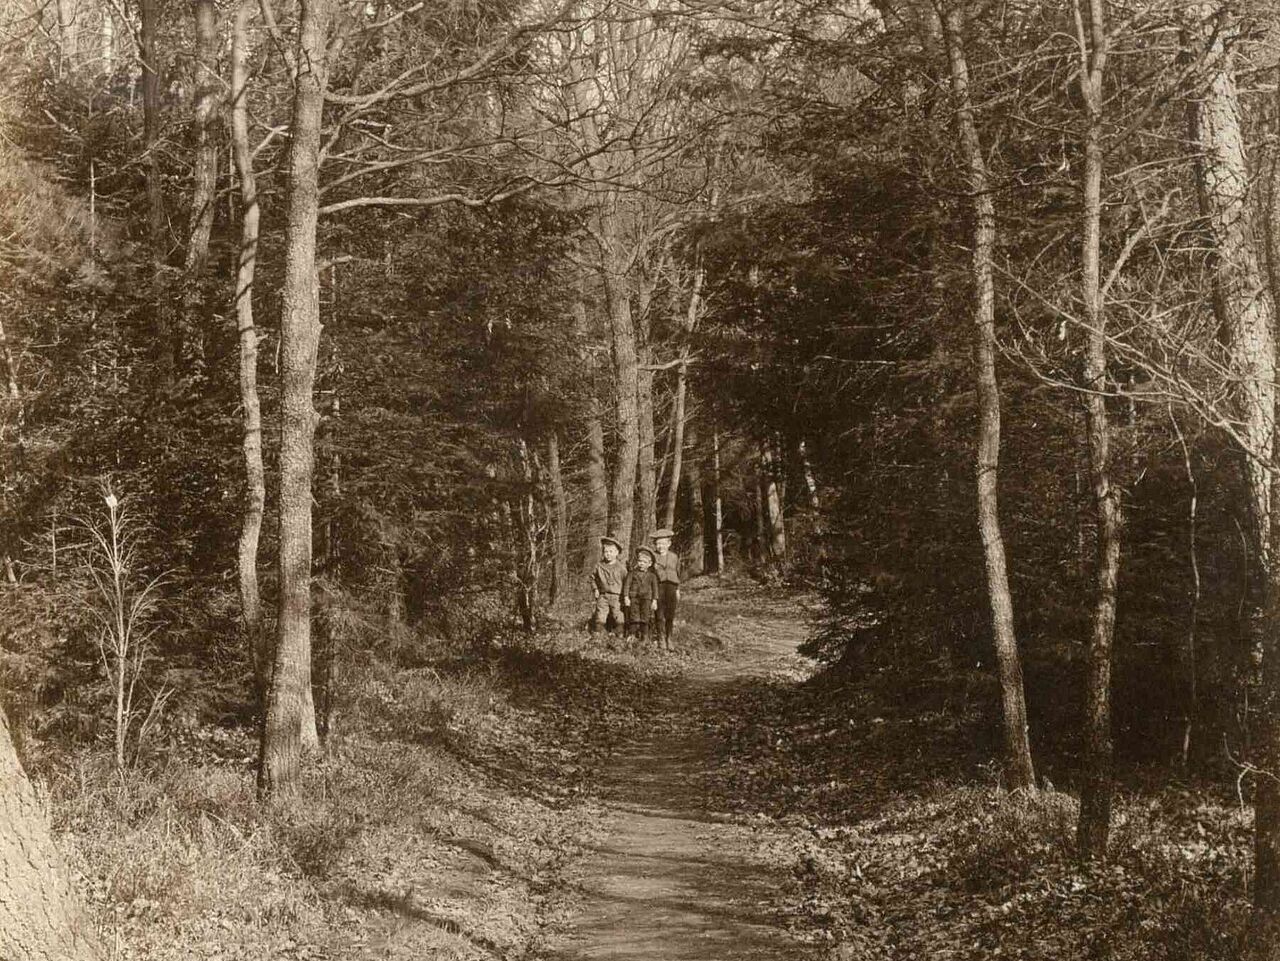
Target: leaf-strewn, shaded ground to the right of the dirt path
[902,843]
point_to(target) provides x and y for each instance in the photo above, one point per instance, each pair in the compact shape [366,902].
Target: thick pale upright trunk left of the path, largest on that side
[291,712]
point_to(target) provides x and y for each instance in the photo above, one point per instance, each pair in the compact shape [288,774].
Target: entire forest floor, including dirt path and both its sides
[566,798]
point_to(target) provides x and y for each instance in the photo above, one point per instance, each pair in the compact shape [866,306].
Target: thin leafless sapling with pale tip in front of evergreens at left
[125,610]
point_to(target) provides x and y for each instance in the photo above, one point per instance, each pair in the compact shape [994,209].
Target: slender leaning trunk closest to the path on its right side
[1021,771]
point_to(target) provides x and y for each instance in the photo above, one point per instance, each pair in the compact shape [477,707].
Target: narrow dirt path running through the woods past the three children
[671,877]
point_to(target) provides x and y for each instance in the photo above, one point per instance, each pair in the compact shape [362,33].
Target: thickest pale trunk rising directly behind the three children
[627,378]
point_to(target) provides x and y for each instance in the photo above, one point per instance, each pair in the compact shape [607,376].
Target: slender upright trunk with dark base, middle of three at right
[1096,790]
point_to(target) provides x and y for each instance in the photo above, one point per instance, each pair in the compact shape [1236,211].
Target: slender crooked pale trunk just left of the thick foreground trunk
[252,410]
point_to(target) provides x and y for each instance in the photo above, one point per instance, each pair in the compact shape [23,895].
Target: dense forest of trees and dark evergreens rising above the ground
[331,330]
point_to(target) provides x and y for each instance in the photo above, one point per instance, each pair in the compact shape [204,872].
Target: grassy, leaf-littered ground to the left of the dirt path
[445,821]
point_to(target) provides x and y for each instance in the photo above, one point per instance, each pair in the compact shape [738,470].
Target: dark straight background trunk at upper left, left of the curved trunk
[161,326]
